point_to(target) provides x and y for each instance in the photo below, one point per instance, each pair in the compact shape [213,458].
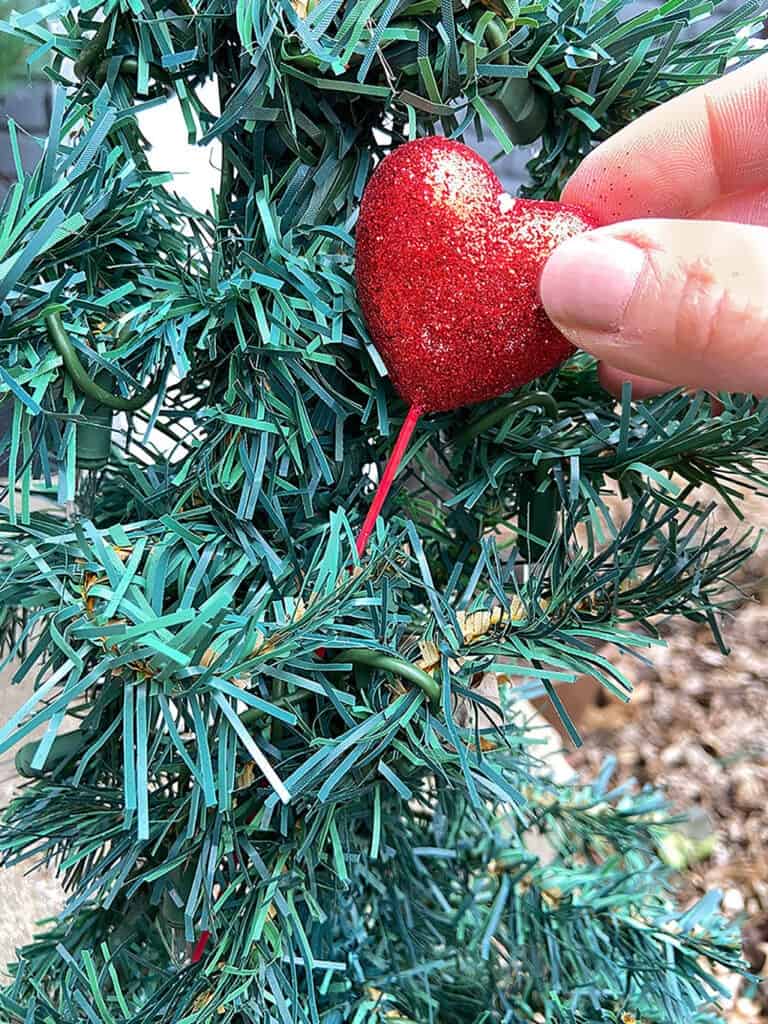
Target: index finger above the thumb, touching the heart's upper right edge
[684,156]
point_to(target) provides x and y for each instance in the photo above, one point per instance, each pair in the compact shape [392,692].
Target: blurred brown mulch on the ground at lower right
[698,727]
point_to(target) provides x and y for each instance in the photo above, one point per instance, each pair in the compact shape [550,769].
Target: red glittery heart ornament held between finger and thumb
[448,269]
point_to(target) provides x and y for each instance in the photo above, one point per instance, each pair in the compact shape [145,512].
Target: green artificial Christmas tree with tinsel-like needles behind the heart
[270,772]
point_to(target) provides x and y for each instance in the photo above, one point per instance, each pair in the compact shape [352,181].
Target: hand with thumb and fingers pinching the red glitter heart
[673,291]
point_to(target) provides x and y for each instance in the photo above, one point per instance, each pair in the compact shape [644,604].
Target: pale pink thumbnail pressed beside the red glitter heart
[588,282]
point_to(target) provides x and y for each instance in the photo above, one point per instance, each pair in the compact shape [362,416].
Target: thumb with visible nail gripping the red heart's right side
[684,302]
